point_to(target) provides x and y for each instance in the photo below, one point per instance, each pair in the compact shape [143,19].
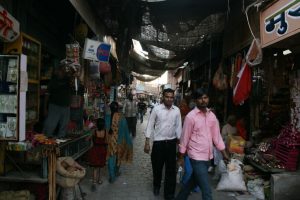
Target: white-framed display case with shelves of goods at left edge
[12,97]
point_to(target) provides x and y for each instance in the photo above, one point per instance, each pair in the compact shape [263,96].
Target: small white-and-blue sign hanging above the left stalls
[95,50]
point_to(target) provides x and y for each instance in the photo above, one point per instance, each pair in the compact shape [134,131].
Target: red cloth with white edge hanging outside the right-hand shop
[242,89]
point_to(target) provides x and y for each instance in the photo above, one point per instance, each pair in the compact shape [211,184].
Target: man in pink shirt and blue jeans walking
[200,132]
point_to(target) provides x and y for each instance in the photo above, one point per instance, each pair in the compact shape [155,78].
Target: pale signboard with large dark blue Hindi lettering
[279,21]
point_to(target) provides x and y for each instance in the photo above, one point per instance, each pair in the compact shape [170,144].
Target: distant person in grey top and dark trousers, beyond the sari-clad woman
[130,111]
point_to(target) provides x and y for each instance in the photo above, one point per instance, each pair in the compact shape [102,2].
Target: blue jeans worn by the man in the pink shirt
[199,177]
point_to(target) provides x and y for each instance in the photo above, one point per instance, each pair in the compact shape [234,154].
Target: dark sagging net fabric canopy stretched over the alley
[167,30]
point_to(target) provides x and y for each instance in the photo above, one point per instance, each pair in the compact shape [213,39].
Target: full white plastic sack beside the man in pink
[232,180]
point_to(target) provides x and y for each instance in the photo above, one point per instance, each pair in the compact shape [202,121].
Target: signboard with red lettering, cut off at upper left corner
[9,26]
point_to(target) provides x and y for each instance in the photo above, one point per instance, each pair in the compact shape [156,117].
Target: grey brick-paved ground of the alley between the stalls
[135,181]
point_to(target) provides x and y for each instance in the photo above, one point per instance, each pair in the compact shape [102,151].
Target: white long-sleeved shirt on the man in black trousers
[164,123]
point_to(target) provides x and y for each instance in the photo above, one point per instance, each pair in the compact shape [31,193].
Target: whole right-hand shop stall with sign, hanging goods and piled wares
[265,96]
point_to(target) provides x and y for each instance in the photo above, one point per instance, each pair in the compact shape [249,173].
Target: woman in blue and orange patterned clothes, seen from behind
[119,143]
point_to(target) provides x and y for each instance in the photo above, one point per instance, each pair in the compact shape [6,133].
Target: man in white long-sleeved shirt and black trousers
[165,125]
